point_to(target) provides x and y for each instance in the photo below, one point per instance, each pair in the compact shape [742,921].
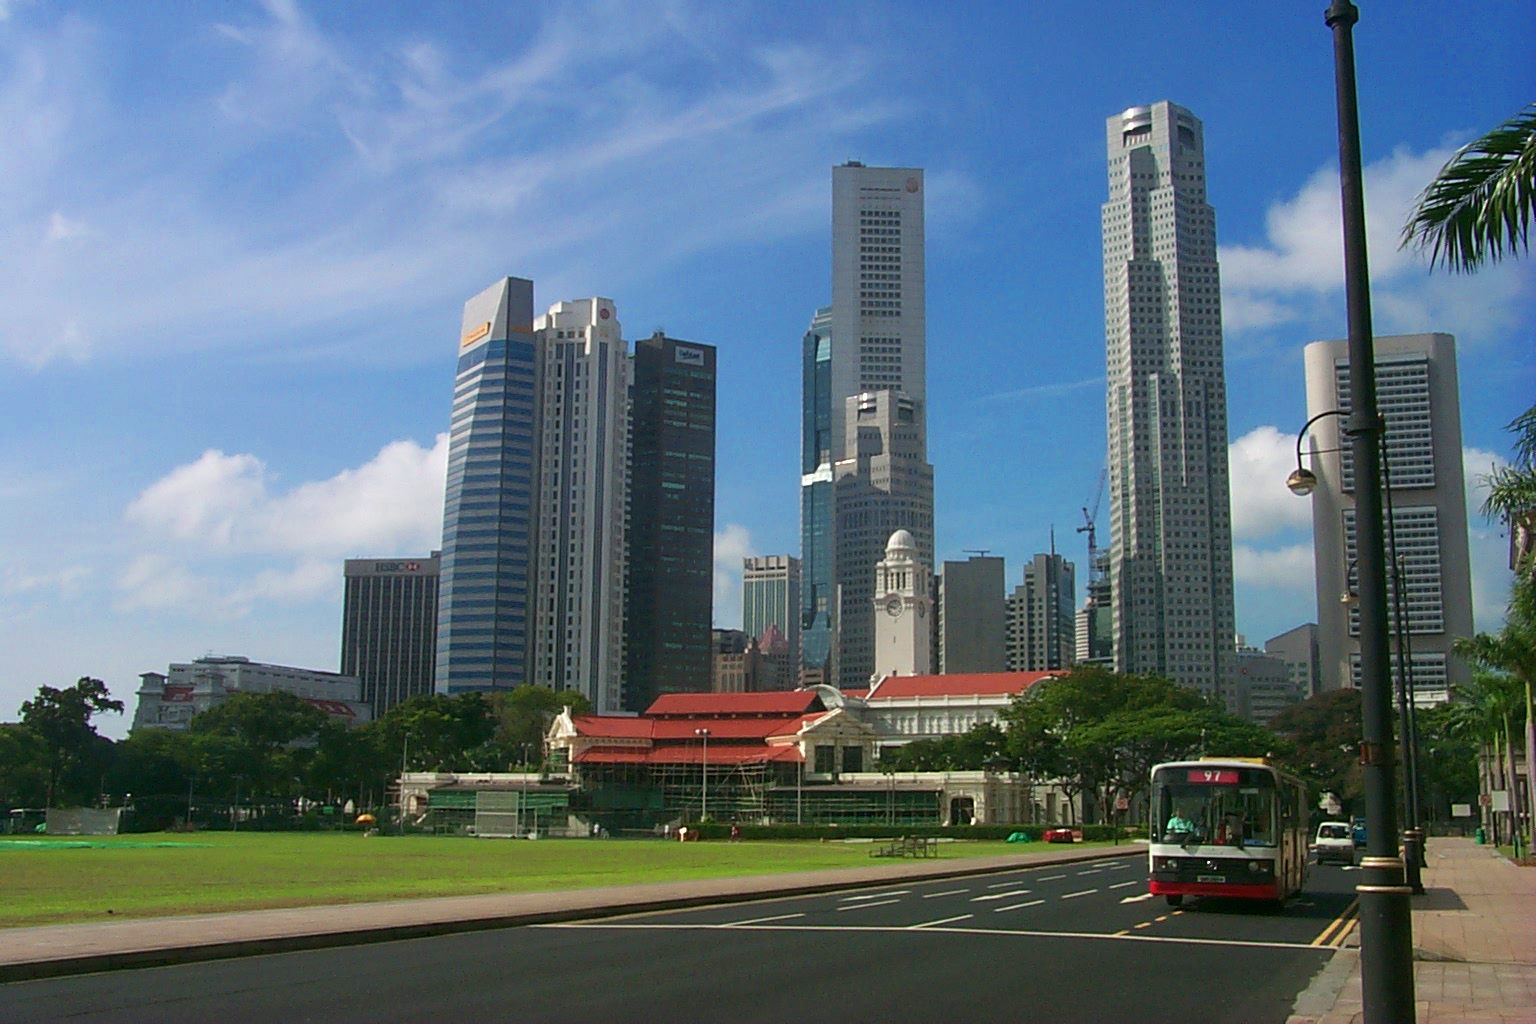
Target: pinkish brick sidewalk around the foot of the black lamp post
[1474,946]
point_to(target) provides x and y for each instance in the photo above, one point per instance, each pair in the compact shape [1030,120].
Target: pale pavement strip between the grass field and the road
[71,950]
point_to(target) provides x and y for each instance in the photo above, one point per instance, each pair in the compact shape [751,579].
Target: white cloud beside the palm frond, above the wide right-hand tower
[1297,276]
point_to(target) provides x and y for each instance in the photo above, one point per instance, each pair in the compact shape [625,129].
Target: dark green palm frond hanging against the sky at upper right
[1481,200]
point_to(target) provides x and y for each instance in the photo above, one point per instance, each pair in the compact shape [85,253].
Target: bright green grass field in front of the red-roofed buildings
[157,876]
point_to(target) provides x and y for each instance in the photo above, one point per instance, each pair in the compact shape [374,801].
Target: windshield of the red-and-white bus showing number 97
[1225,807]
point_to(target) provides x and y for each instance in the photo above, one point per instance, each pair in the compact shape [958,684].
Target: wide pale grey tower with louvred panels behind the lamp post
[1417,395]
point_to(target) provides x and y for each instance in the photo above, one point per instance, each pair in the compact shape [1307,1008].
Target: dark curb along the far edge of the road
[200,953]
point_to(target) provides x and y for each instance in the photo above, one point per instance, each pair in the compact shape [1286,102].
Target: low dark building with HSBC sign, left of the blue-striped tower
[389,627]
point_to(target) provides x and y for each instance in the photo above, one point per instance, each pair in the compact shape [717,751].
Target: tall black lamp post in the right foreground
[1385,916]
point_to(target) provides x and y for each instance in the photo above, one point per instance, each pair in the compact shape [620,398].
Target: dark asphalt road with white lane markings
[1070,943]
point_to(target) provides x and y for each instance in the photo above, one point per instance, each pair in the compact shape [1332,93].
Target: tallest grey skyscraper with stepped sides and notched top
[1171,520]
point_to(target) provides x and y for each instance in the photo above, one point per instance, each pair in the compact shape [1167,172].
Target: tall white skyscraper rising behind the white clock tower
[875,392]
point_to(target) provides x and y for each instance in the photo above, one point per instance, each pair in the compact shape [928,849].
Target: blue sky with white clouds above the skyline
[236,240]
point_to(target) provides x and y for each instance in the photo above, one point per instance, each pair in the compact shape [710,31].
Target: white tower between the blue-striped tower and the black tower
[583,498]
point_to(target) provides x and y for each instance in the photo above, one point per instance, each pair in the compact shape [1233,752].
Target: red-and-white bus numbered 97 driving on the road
[1226,827]
